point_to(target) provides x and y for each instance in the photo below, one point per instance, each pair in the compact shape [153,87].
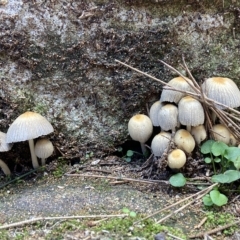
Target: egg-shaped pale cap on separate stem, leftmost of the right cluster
[140,128]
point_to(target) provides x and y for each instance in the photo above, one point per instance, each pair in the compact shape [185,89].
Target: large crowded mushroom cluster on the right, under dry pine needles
[182,117]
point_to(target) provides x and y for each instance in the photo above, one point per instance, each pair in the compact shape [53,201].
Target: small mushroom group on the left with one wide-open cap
[28,126]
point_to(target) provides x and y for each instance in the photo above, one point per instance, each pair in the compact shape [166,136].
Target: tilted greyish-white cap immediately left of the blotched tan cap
[160,142]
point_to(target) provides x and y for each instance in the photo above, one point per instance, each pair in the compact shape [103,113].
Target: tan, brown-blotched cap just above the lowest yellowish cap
[184,140]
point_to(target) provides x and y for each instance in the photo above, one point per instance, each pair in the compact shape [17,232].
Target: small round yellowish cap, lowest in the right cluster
[176,159]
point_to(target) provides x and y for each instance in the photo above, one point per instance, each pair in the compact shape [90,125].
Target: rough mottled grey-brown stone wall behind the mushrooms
[57,58]
